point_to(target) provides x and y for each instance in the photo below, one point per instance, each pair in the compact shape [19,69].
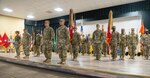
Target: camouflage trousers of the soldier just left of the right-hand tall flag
[98,50]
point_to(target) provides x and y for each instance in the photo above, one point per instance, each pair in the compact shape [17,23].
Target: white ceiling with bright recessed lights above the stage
[38,8]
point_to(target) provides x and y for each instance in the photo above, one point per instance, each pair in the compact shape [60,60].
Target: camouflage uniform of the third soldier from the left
[37,44]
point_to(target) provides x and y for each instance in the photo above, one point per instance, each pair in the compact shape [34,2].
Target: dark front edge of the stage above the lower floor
[64,69]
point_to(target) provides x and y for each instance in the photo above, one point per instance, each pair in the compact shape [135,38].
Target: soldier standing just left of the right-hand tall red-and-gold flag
[98,40]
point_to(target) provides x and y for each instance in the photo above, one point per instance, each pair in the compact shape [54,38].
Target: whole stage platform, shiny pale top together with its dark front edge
[88,66]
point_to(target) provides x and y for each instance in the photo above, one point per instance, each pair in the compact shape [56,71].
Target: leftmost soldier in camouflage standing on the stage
[17,44]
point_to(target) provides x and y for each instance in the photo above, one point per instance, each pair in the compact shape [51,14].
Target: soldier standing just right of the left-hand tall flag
[75,44]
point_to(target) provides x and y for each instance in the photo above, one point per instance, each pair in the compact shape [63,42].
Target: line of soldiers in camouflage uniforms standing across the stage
[120,41]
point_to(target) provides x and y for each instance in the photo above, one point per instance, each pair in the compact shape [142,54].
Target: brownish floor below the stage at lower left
[9,70]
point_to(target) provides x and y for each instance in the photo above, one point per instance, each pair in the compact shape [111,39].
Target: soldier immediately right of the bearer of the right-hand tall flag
[122,44]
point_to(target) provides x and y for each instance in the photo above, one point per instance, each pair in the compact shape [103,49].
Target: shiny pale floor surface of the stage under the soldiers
[139,66]
